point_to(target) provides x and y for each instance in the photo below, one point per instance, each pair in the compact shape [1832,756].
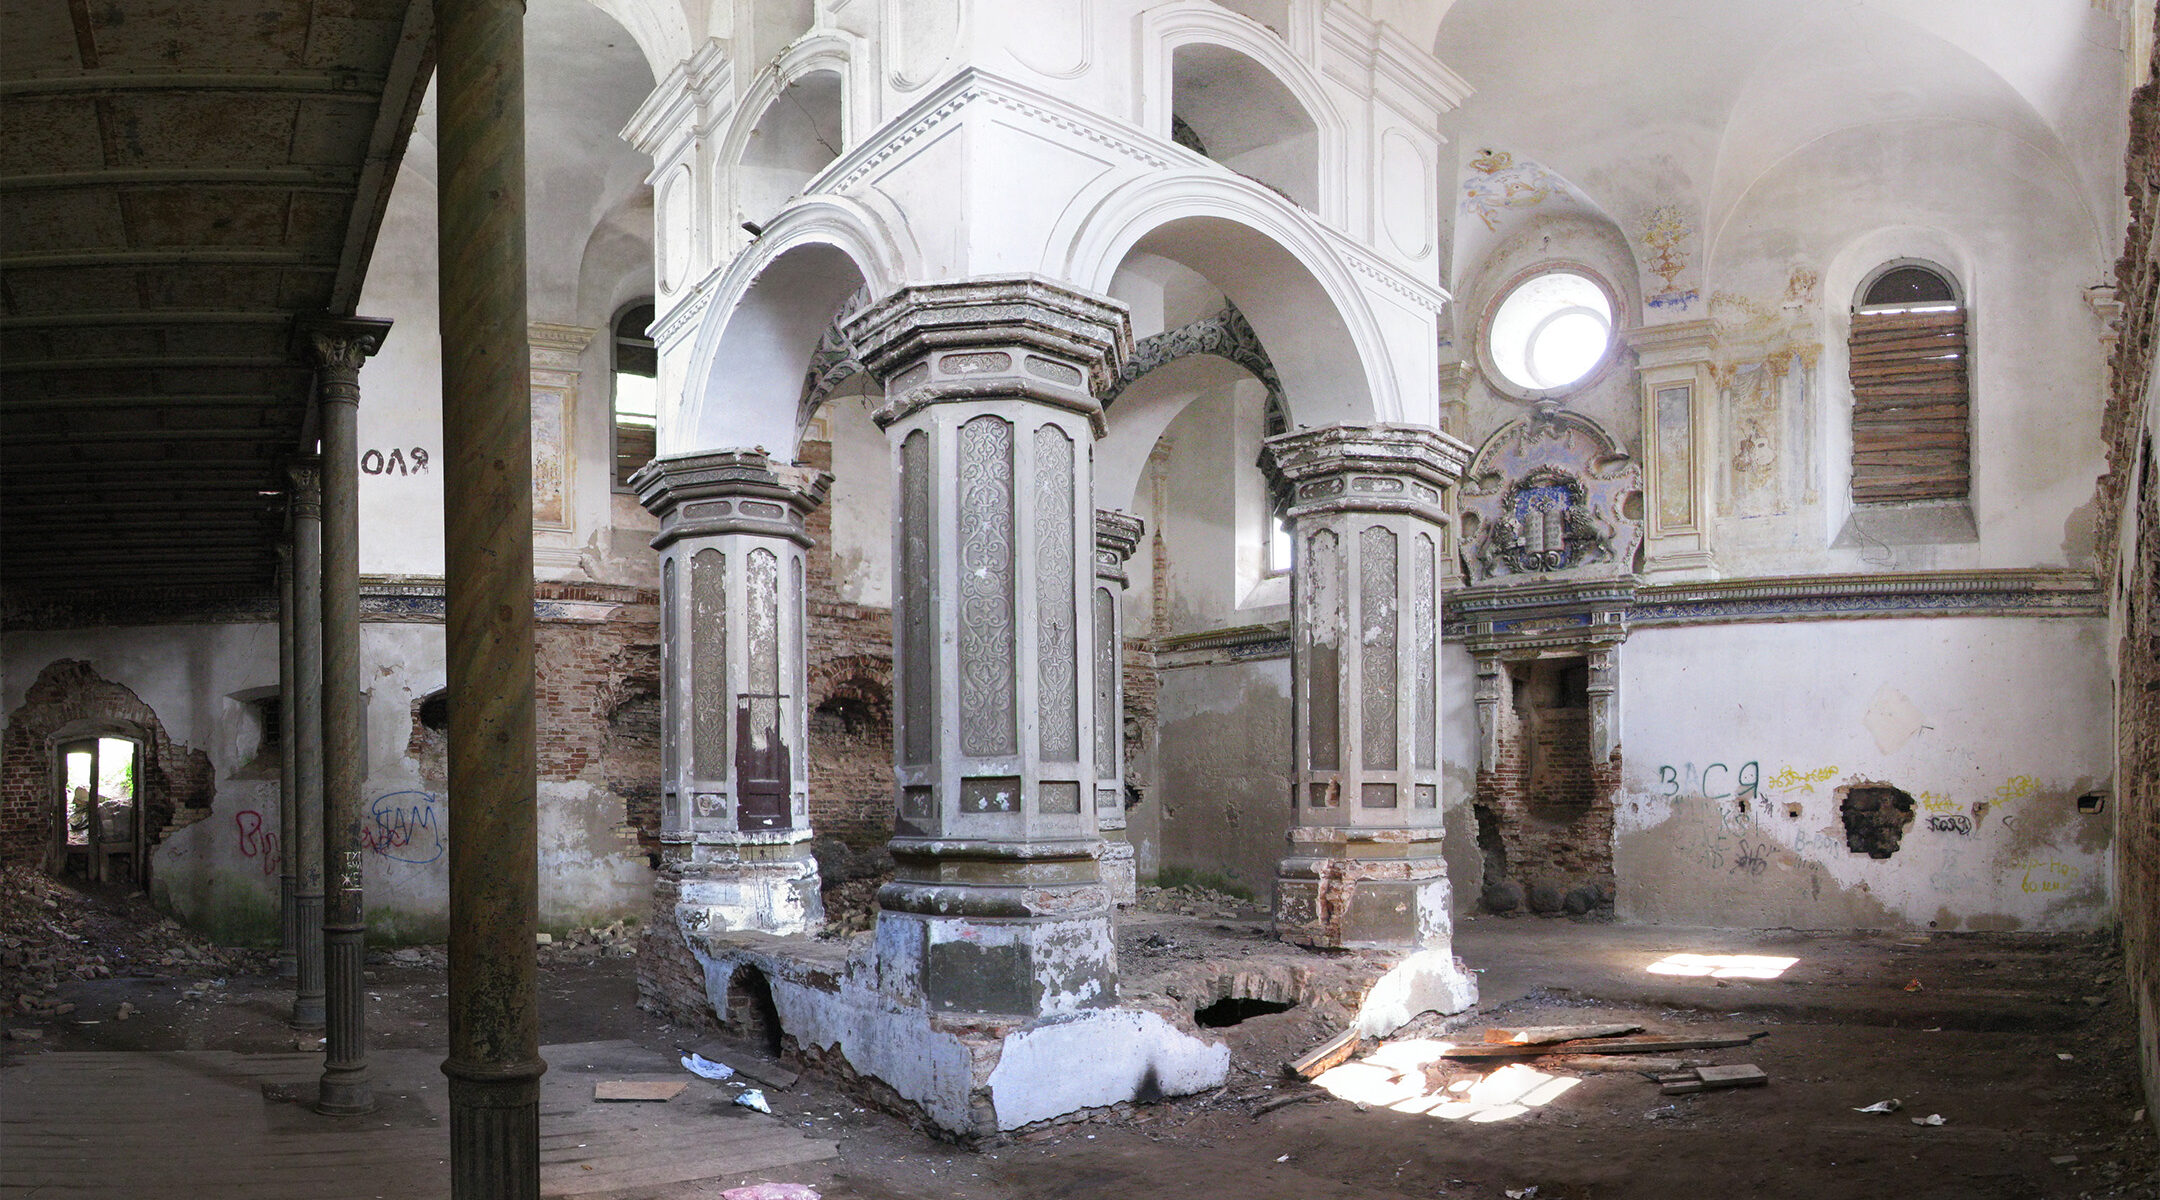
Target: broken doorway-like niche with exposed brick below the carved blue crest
[1545,806]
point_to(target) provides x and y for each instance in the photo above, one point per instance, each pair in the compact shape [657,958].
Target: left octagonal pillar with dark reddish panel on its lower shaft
[735,782]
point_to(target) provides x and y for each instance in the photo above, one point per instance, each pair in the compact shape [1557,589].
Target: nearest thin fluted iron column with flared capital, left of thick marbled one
[340,349]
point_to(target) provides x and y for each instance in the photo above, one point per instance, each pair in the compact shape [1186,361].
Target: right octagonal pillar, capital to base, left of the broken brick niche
[1366,508]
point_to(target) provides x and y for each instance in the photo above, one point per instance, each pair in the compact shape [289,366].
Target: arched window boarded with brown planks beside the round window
[1911,398]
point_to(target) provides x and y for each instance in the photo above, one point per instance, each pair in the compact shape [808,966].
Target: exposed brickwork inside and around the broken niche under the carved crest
[1548,802]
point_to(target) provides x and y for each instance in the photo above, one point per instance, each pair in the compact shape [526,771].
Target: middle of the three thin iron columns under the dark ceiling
[308,741]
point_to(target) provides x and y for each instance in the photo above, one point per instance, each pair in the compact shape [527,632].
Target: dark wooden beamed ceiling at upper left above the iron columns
[180,185]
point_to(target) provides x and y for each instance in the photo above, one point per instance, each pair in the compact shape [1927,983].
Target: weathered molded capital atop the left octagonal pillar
[742,491]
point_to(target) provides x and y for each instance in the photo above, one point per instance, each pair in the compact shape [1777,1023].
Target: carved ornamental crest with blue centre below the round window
[1552,495]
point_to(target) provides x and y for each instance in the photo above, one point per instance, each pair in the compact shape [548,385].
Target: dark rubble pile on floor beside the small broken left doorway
[55,931]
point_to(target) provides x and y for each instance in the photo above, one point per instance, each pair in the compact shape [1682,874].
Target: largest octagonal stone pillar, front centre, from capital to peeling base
[993,407]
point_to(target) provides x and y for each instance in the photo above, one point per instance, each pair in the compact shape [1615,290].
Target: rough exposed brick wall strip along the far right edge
[2131,493]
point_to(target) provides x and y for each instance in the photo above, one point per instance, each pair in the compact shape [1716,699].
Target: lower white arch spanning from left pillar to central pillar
[768,312]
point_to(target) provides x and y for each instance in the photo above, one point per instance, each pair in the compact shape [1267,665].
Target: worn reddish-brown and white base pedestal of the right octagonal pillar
[1364,890]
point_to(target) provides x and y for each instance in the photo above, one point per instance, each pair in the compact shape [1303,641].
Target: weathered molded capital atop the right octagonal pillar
[1364,469]
